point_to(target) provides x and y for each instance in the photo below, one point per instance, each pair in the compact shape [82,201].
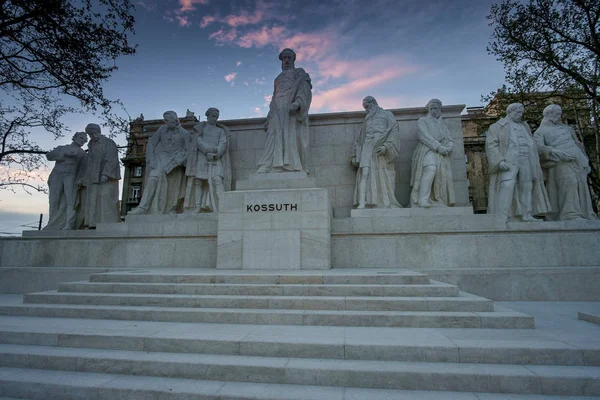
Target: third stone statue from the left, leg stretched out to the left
[165,158]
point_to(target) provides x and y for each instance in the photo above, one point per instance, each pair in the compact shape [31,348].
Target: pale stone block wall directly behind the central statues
[331,141]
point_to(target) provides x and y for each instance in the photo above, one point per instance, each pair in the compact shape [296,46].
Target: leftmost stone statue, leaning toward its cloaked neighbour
[65,182]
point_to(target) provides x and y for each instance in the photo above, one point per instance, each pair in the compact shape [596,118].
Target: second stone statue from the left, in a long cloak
[102,175]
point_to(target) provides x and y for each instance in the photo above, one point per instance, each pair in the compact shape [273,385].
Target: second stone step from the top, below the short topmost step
[435,289]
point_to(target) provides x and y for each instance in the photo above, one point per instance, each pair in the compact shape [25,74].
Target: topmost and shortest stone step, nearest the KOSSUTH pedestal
[331,277]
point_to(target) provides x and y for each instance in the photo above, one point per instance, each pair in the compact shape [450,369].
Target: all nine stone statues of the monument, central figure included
[194,169]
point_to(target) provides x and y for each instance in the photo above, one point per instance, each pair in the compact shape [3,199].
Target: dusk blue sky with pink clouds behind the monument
[194,54]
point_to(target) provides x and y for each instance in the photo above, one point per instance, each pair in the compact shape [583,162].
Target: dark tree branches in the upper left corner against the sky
[55,56]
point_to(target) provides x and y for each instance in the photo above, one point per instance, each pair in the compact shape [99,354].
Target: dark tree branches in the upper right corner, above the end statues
[551,54]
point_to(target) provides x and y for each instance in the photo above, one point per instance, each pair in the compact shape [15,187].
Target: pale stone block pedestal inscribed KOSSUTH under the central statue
[275,229]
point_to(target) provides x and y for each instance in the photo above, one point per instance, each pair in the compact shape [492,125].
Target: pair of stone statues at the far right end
[517,161]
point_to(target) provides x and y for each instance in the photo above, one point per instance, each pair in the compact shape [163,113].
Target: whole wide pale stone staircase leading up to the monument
[337,334]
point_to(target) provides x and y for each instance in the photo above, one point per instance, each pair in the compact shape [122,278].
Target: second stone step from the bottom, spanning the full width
[517,379]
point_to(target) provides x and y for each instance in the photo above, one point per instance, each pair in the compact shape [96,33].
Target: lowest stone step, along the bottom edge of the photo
[43,385]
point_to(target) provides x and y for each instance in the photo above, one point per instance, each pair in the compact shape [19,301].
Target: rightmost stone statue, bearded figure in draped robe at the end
[568,166]
